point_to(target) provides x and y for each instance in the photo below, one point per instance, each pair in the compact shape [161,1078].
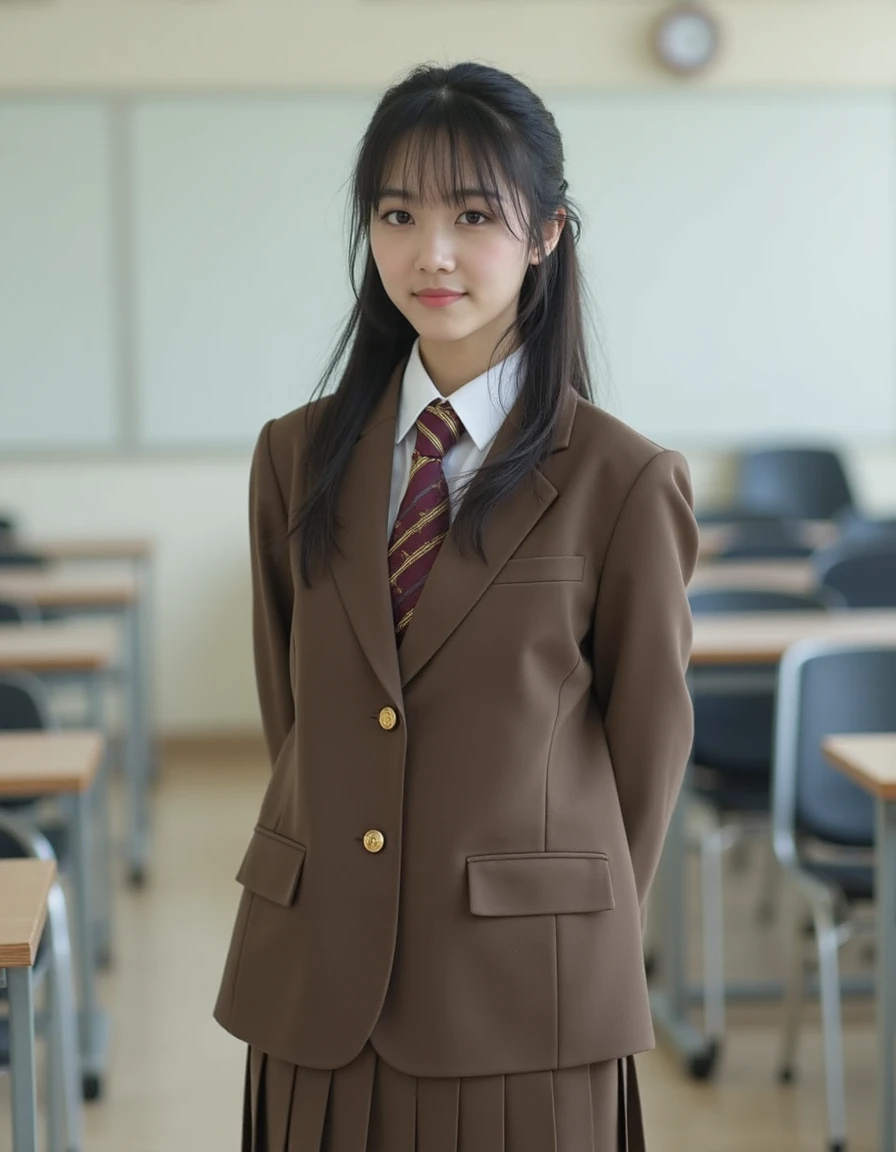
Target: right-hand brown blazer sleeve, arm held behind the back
[643,636]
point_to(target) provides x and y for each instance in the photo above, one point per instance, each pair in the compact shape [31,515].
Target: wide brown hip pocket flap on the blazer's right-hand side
[540,884]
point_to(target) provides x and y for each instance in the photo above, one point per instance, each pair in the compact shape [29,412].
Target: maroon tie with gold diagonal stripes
[424,517]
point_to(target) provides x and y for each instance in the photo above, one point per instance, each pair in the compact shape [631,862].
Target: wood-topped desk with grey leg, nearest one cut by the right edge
[871,762]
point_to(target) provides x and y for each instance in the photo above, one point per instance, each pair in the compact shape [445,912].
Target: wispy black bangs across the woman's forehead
[446,153]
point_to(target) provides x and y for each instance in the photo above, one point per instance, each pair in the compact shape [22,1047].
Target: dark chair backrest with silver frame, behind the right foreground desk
[825,689]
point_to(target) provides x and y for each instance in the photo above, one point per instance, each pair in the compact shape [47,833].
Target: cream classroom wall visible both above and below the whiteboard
[195,509]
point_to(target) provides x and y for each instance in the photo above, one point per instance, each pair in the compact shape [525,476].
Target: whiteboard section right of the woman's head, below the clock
[742,255]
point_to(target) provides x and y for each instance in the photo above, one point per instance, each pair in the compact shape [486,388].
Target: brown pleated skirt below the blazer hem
[368,1106]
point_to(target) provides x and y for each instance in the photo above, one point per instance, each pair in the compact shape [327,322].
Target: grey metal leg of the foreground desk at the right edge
[886,898]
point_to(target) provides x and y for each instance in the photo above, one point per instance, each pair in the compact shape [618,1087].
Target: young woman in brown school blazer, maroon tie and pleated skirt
[472,634]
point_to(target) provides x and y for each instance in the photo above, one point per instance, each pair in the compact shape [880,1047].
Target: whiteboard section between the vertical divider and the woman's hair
[240,256]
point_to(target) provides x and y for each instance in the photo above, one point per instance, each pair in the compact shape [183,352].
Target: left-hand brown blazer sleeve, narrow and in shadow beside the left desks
[272,596]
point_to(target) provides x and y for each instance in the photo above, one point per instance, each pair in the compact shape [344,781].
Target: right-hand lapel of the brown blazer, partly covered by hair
[457,582]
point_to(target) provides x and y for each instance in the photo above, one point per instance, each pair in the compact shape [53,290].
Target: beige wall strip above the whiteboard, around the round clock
[157,44]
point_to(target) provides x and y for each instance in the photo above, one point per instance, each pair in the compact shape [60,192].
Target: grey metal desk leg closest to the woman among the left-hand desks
[136,756]
